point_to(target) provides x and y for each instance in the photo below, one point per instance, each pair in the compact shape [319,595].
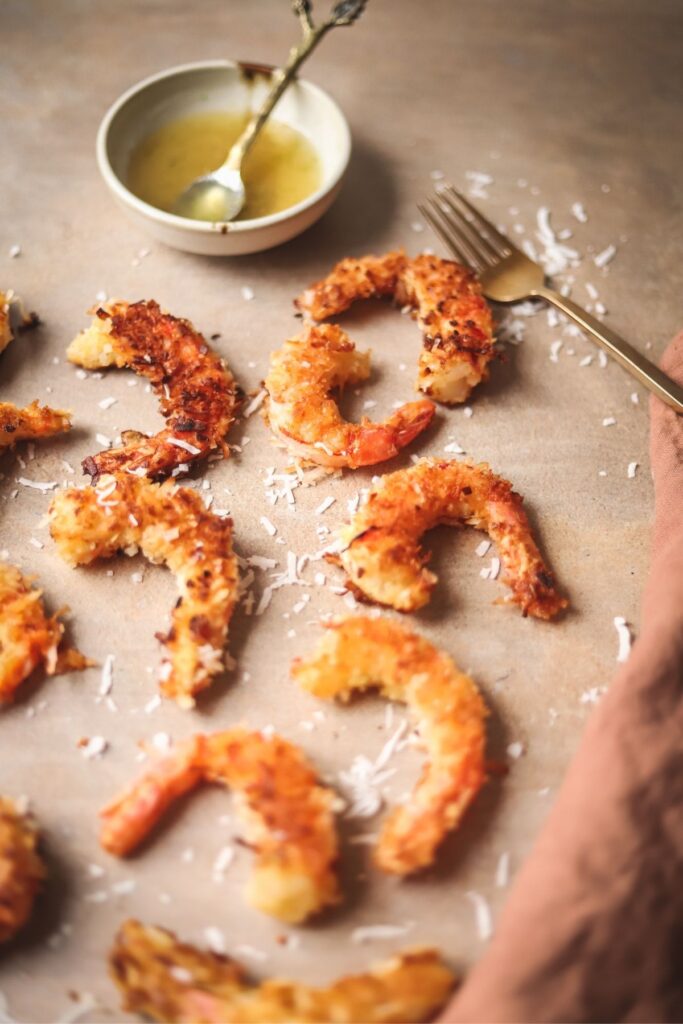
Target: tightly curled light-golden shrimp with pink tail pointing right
[303,412]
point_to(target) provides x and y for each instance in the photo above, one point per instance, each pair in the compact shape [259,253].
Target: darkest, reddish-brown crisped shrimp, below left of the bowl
[199,397]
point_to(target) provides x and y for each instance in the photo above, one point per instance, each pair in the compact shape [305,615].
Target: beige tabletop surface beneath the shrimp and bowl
[559,104]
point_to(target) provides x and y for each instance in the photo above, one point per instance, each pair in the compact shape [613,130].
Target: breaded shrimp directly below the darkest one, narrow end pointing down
[168,525]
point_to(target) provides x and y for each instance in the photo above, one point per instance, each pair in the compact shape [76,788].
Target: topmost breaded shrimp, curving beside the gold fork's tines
[445,297]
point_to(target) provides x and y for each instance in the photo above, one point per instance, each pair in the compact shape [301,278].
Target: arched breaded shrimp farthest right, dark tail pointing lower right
[381,546]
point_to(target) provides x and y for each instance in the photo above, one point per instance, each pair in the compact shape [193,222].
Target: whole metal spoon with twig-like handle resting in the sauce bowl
[222,195]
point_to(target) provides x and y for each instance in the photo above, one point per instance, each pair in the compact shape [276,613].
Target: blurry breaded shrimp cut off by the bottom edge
[170,982]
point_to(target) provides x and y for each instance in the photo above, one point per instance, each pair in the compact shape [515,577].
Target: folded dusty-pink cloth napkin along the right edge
[593,927]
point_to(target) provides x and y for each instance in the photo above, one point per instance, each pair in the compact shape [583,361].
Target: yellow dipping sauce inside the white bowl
[282,168]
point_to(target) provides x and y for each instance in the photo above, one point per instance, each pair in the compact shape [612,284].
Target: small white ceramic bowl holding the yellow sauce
[228,87]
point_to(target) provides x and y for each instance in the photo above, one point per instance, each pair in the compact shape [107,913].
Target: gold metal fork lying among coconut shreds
[508,276]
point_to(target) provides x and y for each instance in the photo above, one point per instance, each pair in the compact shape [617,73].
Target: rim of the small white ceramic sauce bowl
[205,227]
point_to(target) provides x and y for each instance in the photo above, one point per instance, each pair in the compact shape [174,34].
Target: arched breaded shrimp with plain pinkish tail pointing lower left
[287,813]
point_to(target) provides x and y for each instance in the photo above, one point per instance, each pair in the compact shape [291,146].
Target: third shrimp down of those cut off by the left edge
[28,637]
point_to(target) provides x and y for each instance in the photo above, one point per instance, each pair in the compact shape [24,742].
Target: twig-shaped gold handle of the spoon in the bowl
[345,14]
